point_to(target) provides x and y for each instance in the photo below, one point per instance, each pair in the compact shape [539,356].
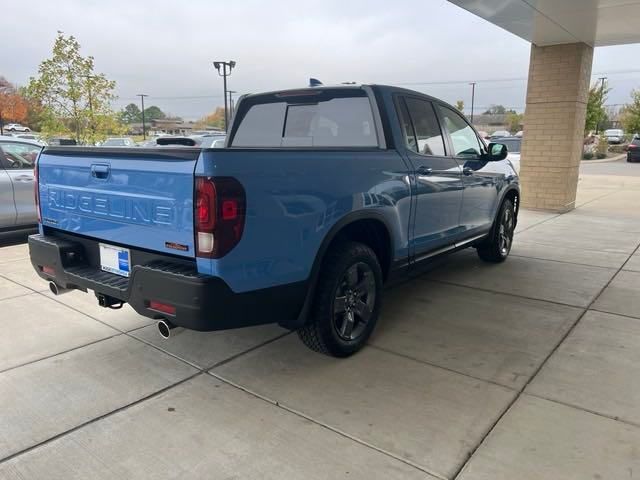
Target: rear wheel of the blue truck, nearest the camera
[346,302]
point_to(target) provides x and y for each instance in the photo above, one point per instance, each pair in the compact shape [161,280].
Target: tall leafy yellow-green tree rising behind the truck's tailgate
[75,99]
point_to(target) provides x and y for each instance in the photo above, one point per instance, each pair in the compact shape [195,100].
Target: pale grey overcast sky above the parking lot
[165,48]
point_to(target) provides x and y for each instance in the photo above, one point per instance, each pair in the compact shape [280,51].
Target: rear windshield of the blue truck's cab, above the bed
[308,121]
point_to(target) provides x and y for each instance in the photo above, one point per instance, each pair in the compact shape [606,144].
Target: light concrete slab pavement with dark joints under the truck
[523,370]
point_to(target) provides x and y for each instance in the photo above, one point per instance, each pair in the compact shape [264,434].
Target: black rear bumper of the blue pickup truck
[201,302]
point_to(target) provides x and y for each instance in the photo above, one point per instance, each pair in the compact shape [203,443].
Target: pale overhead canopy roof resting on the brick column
[551,22]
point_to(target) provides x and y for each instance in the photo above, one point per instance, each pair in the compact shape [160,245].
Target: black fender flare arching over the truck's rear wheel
[331,235]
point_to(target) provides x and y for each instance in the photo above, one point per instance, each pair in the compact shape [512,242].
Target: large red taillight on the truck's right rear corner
[219,215]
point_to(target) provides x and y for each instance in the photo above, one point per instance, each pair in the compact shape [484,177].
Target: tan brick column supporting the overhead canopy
[559,80]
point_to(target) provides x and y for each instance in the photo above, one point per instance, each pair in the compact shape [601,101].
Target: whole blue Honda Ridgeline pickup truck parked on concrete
[320,197]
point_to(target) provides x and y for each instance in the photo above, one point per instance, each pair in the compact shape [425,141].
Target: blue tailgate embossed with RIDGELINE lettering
[132,197]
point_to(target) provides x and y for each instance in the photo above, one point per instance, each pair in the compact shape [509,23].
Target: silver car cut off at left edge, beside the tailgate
[17,202]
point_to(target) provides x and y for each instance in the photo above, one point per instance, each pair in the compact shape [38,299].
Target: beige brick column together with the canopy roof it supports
[563,34]
